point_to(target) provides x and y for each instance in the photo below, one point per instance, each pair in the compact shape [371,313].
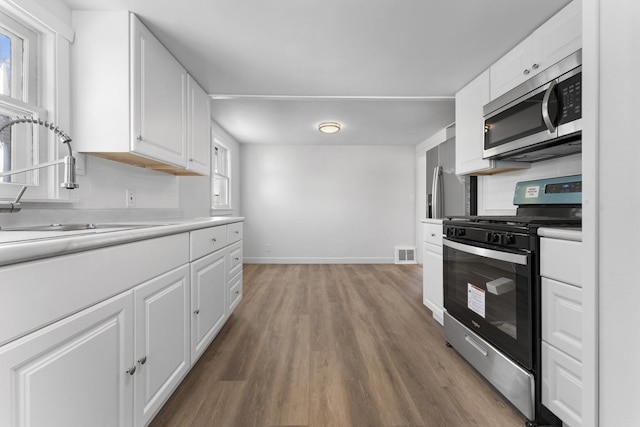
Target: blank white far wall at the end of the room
[317,204]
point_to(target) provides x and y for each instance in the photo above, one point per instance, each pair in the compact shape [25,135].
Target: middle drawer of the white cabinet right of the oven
[562,317]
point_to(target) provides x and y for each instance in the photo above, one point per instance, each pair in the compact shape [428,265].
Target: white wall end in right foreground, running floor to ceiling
[615,161]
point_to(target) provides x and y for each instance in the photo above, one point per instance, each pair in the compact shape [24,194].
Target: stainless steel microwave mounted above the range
[539,119]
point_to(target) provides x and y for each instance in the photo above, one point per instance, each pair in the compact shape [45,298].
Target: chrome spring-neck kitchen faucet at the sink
[68,160]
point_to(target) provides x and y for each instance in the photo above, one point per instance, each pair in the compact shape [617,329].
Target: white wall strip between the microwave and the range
[495,192]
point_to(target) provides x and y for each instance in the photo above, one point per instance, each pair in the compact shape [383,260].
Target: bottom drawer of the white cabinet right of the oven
[562,385]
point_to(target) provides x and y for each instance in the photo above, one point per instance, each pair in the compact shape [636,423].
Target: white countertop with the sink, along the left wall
[20,246]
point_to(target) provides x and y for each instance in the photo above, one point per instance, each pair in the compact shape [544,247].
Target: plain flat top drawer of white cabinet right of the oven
[561,260]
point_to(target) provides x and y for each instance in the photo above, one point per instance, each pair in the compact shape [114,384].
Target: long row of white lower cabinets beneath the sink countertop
[89,360]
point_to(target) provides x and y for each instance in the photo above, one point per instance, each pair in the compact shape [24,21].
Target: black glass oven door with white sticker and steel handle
[490,291]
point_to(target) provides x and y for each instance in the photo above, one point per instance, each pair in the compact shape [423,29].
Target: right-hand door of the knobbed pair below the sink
[161,340]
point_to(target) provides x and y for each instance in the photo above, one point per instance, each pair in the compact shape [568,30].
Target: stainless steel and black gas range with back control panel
[492,289]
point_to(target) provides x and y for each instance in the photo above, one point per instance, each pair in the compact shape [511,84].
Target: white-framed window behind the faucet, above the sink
[34,82]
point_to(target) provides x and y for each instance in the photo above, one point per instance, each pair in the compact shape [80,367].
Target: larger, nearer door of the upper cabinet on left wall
[159,90]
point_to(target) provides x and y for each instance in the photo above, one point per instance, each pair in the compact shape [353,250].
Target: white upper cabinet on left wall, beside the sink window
[130,98]
